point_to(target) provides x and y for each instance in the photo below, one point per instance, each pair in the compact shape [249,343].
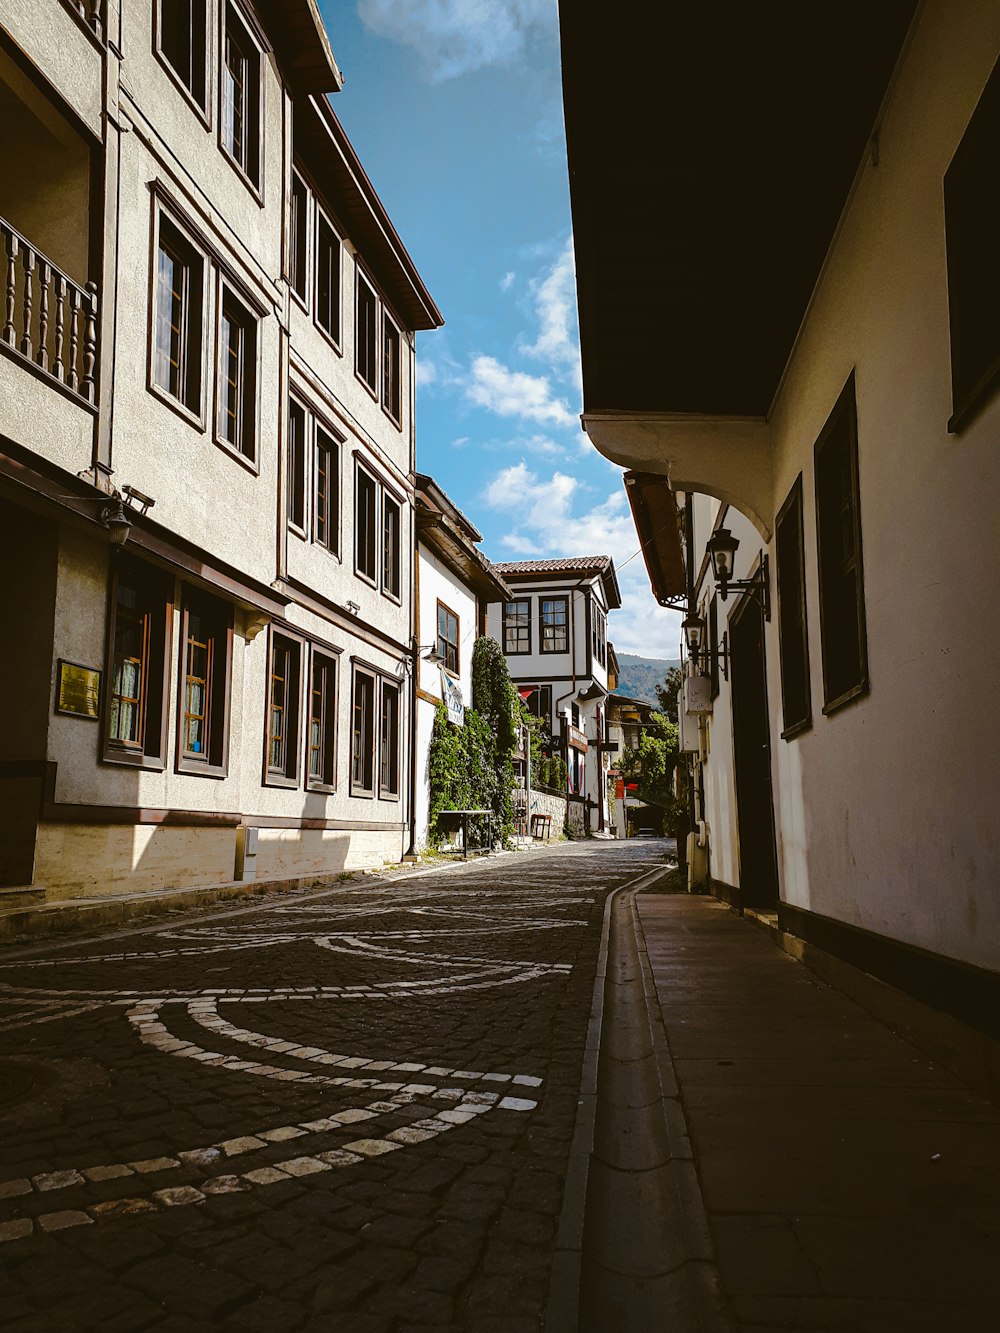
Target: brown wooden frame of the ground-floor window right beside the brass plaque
[150,751]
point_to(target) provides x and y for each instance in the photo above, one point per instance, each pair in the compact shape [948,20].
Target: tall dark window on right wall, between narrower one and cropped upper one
[842,578]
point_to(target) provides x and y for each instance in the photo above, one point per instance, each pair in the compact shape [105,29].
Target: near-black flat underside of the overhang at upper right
[713,149]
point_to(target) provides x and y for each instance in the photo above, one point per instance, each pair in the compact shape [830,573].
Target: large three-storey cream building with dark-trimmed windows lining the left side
[206,455]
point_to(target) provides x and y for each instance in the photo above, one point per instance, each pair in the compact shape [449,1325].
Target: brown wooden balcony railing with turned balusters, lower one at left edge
[49,321]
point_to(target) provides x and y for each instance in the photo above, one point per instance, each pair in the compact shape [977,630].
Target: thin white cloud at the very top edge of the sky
[458,37]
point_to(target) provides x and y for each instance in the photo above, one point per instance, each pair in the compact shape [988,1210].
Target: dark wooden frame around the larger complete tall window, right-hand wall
[842,421]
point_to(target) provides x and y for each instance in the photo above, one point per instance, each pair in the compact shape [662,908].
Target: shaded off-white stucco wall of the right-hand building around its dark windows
[886,810]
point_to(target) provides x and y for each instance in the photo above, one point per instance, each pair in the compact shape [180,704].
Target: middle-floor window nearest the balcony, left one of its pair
[178,318]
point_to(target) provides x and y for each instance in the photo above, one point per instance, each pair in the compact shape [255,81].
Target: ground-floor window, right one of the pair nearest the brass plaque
[205,684]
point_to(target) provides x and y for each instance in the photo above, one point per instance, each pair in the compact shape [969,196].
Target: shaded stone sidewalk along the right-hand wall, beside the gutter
[851,1183]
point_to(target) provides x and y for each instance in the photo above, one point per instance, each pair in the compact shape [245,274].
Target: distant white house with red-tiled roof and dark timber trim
[554,633]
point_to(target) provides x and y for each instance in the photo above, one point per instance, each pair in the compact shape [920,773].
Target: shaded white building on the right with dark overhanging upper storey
[825,405]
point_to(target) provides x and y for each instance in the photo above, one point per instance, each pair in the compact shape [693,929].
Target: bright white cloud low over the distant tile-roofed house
[550,525]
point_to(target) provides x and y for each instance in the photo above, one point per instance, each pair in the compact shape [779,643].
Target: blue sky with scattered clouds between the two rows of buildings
[455,110]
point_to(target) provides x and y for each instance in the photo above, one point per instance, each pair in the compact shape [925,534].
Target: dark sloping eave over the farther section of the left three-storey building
[322,142]
